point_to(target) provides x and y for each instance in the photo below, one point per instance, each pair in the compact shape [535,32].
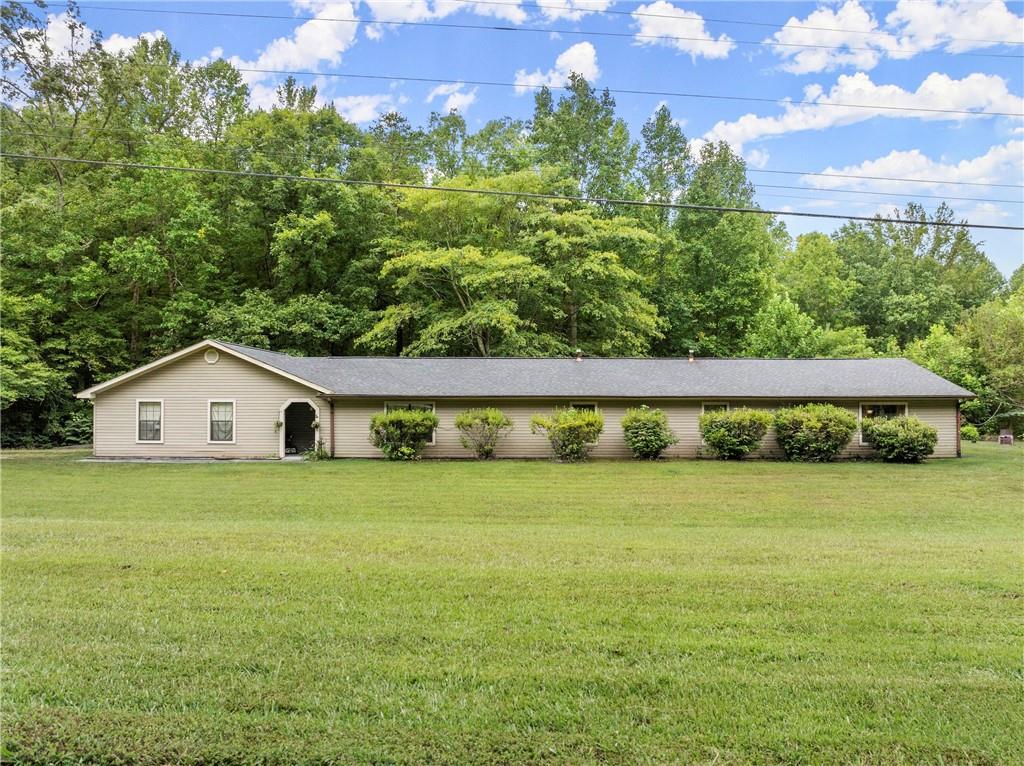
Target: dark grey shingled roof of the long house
[612,378]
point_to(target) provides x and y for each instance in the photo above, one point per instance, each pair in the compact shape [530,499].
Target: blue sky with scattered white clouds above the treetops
[918,54]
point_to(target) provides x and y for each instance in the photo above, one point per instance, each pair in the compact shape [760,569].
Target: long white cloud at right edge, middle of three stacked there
[977,93]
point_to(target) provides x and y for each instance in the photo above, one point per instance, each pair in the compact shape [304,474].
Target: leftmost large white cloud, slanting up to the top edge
[311,45]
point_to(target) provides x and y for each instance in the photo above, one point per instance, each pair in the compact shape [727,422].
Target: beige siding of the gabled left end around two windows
[187,387]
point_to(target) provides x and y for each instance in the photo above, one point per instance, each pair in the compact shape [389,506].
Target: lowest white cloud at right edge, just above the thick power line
[1001,164]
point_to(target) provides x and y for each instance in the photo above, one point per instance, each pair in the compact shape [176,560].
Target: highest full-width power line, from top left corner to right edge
[500,28]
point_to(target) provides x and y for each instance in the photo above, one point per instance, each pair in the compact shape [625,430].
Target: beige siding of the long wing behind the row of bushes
[353,428]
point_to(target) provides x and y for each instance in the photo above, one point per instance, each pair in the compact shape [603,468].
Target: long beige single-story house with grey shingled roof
[218,400]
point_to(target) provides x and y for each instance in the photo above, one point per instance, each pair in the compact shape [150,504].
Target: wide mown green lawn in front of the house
[514,613]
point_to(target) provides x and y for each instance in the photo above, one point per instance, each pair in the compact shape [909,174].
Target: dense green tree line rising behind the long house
[106,269]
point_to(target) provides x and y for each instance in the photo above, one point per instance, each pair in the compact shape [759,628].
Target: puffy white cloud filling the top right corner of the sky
[915,26]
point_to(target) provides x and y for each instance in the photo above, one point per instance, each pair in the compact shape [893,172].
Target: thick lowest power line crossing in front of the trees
[499,193]
